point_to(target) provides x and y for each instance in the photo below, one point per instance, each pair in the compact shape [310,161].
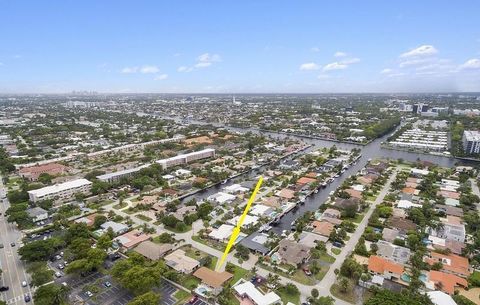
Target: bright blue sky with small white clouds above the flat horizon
[239,46]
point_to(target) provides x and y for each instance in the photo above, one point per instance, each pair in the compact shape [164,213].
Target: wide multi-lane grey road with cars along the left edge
[13,268]
